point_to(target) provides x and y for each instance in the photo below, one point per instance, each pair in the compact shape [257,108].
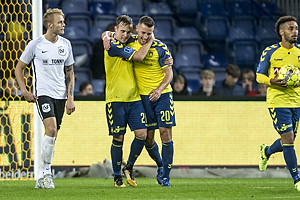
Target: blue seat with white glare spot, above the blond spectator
[215,62]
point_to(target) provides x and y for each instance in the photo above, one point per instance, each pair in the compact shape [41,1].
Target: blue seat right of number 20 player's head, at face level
[186,34]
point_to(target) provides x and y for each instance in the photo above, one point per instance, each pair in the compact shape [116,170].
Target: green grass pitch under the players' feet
[95,188]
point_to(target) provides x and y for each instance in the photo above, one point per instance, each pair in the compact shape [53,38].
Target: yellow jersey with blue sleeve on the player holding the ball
[271,60]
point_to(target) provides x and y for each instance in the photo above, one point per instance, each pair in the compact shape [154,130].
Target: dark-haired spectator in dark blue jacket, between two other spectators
[229,86]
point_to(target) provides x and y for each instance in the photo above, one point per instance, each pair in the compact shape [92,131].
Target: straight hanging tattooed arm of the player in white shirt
[70,82]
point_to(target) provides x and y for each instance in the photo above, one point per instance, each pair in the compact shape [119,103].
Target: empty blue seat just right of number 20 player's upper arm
[187,62]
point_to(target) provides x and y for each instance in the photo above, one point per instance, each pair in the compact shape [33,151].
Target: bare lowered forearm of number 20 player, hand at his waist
[155,94]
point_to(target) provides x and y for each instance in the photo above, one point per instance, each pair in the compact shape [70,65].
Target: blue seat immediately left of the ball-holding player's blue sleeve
[245,54]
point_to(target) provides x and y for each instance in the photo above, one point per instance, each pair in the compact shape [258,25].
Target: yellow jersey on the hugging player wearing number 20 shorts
[149,72]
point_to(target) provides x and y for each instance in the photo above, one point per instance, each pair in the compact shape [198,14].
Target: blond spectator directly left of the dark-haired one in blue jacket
[207,80]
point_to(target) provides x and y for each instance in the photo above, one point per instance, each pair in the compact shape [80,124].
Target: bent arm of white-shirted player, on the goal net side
[20,79]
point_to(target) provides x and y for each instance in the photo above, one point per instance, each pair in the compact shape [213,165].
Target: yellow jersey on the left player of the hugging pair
[120,82]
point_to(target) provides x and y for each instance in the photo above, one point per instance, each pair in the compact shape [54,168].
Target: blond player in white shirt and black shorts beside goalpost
[52,62]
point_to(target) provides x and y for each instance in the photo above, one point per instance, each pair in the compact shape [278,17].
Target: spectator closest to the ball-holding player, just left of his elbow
[248,80]
